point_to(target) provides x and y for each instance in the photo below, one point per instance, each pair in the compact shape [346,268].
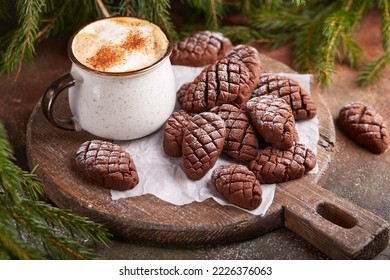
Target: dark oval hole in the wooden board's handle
[336,215]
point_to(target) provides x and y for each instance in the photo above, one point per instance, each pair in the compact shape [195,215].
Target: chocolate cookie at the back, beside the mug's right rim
[200,49]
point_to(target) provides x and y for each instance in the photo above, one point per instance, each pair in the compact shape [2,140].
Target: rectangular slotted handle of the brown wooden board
[334,225]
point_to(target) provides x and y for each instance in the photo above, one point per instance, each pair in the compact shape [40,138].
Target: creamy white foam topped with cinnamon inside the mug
[119,44]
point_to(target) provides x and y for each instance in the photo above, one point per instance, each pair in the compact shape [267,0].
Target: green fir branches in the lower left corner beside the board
[26,224]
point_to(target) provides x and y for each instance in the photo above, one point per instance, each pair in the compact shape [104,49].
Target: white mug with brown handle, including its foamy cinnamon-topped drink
[121,83]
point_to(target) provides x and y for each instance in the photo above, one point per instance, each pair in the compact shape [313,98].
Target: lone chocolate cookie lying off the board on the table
[365,126]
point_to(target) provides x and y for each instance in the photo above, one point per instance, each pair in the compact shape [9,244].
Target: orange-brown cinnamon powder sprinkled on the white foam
[111,55]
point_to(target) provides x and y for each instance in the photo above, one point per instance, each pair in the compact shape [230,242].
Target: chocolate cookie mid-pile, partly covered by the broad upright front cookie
[241,141]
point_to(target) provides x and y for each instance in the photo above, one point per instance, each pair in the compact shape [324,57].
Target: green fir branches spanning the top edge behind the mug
[322,31]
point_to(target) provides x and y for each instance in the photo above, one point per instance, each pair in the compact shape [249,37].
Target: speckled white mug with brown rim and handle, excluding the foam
[114,105]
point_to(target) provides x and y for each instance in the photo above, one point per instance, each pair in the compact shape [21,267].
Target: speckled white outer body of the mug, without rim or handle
[123,107]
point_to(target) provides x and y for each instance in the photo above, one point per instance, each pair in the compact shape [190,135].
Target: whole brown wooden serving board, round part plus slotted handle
[151,219]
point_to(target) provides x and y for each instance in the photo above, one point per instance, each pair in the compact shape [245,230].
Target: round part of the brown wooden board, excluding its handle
[147,217]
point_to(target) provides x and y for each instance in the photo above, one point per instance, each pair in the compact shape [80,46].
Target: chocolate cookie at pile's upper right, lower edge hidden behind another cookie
[302,105]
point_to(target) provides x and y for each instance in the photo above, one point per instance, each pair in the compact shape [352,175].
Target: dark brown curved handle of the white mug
[49,98]
